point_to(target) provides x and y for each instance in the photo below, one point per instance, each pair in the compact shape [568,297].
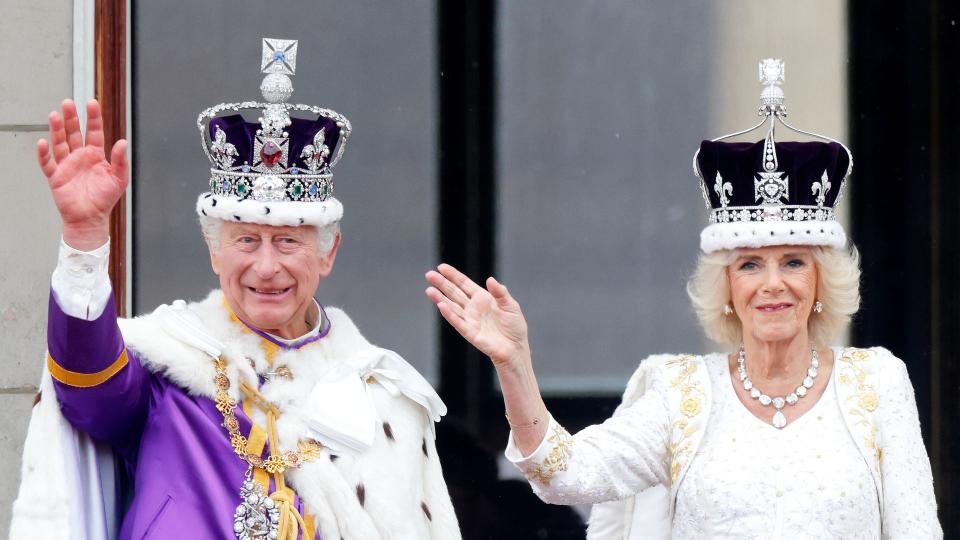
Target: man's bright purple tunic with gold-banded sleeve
[186,475]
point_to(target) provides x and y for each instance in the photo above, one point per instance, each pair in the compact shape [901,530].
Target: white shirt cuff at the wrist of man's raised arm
[80,282]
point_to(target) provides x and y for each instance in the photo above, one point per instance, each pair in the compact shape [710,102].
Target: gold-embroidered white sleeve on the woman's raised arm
[613,460]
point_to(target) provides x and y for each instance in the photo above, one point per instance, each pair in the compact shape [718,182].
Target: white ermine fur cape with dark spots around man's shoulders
[398,474]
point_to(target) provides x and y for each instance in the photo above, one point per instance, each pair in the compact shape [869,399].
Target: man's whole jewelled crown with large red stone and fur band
[286,156]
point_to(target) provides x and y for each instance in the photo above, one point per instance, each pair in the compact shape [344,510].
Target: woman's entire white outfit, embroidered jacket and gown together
[854,466]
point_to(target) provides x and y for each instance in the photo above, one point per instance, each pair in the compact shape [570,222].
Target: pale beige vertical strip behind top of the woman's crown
[810,36]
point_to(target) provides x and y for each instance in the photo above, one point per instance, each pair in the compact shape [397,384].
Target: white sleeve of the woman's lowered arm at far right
[909,506]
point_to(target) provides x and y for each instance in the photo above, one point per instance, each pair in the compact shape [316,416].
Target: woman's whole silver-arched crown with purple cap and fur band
[769,192]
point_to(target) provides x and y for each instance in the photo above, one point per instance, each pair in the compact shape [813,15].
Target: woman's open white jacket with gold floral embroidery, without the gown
[622,464]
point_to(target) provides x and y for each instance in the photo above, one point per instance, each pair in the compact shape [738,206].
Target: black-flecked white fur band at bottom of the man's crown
[279,213]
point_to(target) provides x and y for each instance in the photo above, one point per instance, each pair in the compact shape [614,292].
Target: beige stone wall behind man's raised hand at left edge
[36,46]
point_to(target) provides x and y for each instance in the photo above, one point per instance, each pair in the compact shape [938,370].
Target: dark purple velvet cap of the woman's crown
[803,165]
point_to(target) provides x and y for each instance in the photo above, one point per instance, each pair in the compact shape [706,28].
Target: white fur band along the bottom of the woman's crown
[754,234]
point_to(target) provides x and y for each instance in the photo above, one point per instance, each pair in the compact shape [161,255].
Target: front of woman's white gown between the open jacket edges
[752,480]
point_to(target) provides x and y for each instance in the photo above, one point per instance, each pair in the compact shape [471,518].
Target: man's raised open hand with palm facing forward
[85,187]
